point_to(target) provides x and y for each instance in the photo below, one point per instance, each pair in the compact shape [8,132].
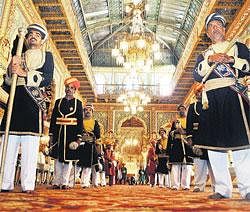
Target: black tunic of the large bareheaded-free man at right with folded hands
[222,126]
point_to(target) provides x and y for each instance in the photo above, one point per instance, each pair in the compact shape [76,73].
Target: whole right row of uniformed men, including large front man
[217,122]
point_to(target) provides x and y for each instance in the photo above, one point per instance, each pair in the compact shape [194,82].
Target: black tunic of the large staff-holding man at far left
[26,116]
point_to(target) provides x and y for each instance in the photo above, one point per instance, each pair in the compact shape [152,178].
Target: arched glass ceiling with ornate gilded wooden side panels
[85,31]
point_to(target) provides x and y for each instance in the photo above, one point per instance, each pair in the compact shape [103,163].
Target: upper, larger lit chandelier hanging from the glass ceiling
[137,49]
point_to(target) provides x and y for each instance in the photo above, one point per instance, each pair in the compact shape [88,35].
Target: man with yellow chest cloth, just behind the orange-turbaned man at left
[87,150]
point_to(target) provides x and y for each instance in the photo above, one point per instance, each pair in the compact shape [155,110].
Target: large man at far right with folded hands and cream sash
[224,122]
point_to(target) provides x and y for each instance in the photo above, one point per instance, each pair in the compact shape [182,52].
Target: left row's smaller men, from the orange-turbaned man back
[75,140]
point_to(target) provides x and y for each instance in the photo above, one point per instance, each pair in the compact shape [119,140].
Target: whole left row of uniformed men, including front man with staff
[73,130]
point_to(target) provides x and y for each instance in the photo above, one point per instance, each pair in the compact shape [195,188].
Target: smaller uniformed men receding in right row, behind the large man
[171,152]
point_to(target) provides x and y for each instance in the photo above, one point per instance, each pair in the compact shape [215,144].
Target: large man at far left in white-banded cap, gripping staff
[35,70]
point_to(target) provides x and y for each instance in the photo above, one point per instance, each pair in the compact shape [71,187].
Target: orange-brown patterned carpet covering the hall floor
[118,198]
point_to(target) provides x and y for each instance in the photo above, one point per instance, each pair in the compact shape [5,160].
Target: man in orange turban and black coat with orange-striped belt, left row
[65,133]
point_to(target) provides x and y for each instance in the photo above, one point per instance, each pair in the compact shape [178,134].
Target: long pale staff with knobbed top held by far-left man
[21,33]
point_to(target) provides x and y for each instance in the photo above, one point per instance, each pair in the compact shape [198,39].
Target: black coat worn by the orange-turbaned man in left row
[63,135]
